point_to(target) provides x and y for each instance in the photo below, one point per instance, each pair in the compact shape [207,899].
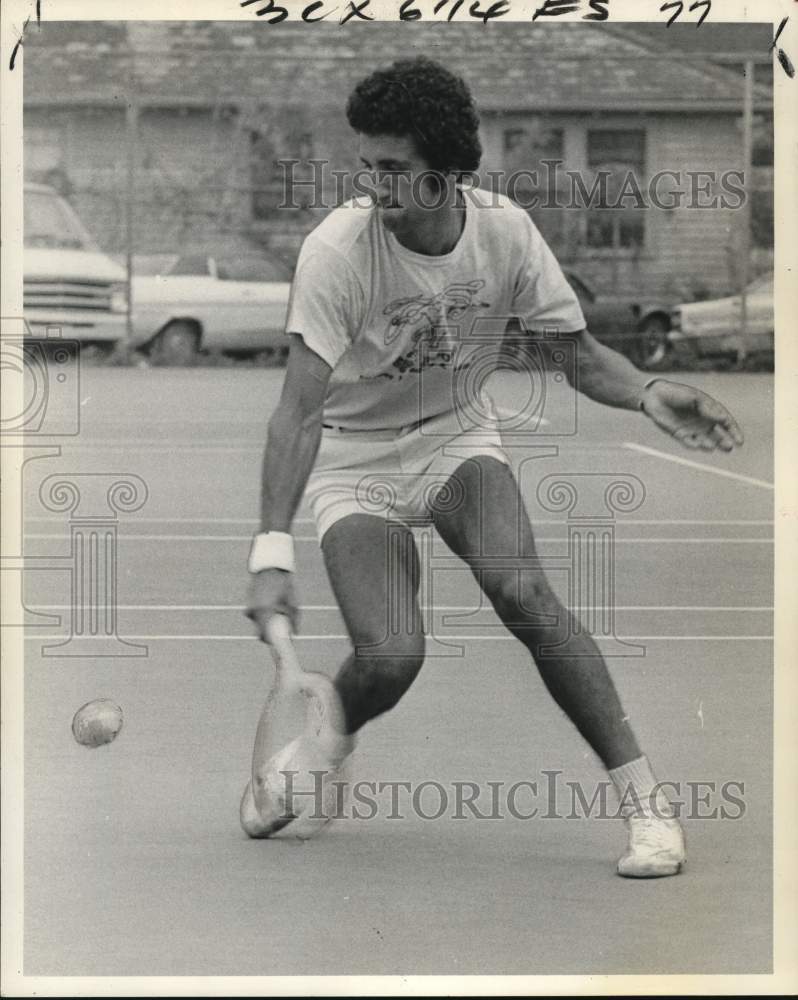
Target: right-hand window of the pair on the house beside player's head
[616,160]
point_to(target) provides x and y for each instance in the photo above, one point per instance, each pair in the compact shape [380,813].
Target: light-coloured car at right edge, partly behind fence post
[713,330]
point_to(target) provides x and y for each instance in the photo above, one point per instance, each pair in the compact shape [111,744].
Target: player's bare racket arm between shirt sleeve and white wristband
[293,436]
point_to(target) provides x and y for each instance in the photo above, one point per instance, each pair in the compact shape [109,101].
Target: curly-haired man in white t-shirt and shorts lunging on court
[387,292]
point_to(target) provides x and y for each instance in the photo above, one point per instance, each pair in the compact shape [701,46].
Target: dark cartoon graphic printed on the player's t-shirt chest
[431,322]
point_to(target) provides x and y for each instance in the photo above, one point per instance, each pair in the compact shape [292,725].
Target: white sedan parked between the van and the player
[195,302]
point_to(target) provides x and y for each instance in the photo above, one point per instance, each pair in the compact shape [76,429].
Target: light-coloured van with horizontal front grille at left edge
[69,284]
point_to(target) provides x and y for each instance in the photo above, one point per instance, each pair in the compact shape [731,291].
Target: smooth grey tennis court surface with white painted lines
[135,863]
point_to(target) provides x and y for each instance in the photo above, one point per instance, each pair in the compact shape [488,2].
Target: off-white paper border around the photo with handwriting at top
[785,916]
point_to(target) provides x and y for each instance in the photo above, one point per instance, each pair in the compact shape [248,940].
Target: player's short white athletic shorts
[395,474]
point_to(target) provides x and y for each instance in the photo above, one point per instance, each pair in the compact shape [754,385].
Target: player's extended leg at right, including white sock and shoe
[492,522]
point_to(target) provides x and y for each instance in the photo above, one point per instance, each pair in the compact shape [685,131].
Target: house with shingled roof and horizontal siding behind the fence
[220,103]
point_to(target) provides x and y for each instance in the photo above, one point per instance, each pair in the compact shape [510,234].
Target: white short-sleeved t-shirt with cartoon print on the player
[397,326]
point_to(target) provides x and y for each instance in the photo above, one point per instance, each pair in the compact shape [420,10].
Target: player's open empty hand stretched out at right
[690,416]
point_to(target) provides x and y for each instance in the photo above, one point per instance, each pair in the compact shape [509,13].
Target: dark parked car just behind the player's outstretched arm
[640,331]
